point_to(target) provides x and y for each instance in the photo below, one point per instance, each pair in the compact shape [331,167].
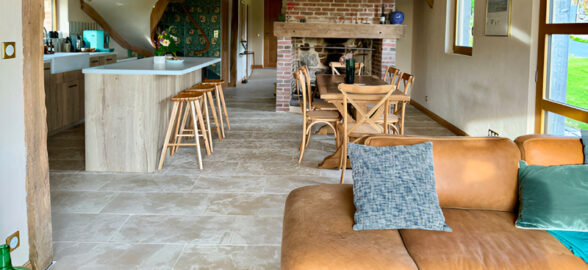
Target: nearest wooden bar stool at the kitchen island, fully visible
[192,101]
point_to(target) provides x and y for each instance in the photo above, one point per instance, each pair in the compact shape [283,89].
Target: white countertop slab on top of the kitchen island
[146,66]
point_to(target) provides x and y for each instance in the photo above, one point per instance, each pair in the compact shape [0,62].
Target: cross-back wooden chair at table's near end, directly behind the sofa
[366,122]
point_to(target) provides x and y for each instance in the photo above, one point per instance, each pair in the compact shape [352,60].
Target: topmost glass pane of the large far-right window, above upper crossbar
[568,11]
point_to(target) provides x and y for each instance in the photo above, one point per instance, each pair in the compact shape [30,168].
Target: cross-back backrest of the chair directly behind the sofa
[360,96]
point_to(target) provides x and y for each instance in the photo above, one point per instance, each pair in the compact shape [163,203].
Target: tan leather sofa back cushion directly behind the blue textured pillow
[473,173]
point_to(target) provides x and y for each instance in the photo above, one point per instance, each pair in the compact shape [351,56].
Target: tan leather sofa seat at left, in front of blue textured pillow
[318,234]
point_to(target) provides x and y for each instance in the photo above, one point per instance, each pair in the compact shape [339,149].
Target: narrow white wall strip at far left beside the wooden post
[13,209]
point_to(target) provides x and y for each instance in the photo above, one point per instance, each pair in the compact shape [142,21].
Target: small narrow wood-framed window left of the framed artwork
[464,26]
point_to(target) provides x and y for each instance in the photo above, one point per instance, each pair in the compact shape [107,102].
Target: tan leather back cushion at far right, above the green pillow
[548,150]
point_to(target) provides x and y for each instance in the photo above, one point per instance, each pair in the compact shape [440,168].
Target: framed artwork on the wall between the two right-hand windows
[498,18]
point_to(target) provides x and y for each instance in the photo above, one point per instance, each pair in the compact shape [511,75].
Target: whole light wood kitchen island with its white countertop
[127,107]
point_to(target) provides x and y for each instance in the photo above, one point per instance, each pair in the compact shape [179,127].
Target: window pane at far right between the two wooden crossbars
[567,80]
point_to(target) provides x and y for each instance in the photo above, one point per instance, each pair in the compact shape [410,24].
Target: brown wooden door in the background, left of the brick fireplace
[270,42]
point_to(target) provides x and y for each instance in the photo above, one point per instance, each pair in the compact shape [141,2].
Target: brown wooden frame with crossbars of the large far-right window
[542,104]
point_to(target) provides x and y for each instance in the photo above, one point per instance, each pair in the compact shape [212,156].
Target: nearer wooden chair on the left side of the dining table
[311,117]
